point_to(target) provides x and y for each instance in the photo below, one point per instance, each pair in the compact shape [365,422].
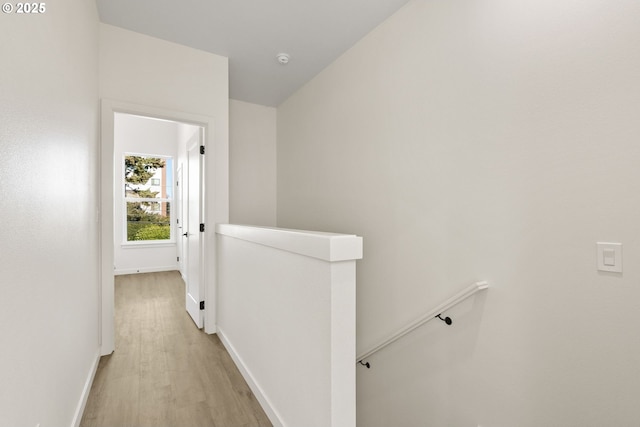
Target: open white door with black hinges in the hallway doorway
[193,240]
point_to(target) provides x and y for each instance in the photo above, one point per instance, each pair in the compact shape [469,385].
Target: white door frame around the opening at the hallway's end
[215,189]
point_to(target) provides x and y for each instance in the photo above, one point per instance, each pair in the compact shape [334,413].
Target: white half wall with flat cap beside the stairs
[287,316]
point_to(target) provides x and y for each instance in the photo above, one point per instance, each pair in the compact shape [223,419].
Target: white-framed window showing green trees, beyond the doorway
[148,194]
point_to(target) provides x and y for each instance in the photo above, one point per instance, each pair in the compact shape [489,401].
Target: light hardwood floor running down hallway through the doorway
[165,371]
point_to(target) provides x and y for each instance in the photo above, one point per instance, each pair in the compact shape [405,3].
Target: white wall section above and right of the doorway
[141,70]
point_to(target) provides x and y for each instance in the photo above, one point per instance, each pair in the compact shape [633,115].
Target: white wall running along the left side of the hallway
[48,181]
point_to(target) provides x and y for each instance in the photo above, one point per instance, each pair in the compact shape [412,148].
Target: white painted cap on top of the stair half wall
[325,246]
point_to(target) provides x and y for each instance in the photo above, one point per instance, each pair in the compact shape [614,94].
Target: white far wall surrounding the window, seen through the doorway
[142,135]
